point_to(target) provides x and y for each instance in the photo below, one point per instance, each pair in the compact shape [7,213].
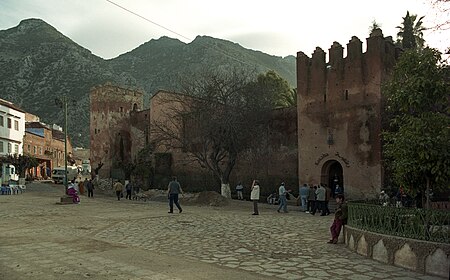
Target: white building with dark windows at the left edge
[12,128]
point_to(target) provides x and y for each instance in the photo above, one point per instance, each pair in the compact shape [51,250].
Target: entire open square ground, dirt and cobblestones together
[107,239]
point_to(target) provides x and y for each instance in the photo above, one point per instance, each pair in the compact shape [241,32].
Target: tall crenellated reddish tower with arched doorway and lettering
[339,114]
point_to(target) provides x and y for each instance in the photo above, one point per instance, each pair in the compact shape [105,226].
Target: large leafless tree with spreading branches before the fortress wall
[221,116]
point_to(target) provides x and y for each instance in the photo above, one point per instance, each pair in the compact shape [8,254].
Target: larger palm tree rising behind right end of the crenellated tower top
[410,35]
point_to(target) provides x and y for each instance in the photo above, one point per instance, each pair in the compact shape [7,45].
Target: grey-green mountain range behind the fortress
[39,65]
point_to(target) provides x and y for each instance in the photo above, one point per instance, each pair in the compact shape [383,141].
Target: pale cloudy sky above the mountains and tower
[281,27]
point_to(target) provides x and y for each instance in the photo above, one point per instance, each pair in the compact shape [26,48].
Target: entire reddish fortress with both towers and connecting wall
[336,127]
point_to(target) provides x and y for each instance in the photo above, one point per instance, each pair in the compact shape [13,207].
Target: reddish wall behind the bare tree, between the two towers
[275,161]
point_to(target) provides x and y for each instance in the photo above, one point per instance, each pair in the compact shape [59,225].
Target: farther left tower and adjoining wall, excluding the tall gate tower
[272,163]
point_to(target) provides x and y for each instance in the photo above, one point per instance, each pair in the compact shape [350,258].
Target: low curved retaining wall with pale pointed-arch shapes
[421,256]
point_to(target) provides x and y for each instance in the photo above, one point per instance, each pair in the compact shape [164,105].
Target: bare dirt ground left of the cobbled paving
[43,240]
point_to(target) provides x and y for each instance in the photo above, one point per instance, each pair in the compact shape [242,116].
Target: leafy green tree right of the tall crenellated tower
[417,141]
